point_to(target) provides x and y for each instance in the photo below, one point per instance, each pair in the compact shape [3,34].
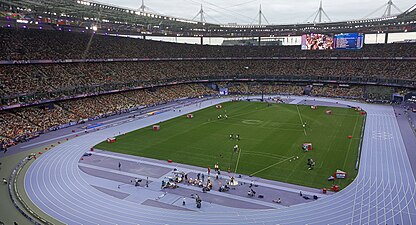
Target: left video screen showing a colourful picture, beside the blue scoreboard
[317,42]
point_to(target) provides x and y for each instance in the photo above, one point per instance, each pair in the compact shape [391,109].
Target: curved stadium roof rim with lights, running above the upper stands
[107,17]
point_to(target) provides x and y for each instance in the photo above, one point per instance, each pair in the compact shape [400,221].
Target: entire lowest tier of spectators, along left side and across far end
[23,123]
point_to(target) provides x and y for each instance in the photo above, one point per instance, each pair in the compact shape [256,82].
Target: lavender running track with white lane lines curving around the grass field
[382,193]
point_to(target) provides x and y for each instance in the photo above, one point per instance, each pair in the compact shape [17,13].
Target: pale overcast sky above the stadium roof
[275,11]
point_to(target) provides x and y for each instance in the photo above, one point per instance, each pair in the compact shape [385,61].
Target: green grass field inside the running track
[270,140]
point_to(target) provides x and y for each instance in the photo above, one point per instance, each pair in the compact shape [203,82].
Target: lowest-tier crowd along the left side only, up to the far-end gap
[23,123]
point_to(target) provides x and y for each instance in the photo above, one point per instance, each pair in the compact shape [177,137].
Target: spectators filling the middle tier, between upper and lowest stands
[41,78]
